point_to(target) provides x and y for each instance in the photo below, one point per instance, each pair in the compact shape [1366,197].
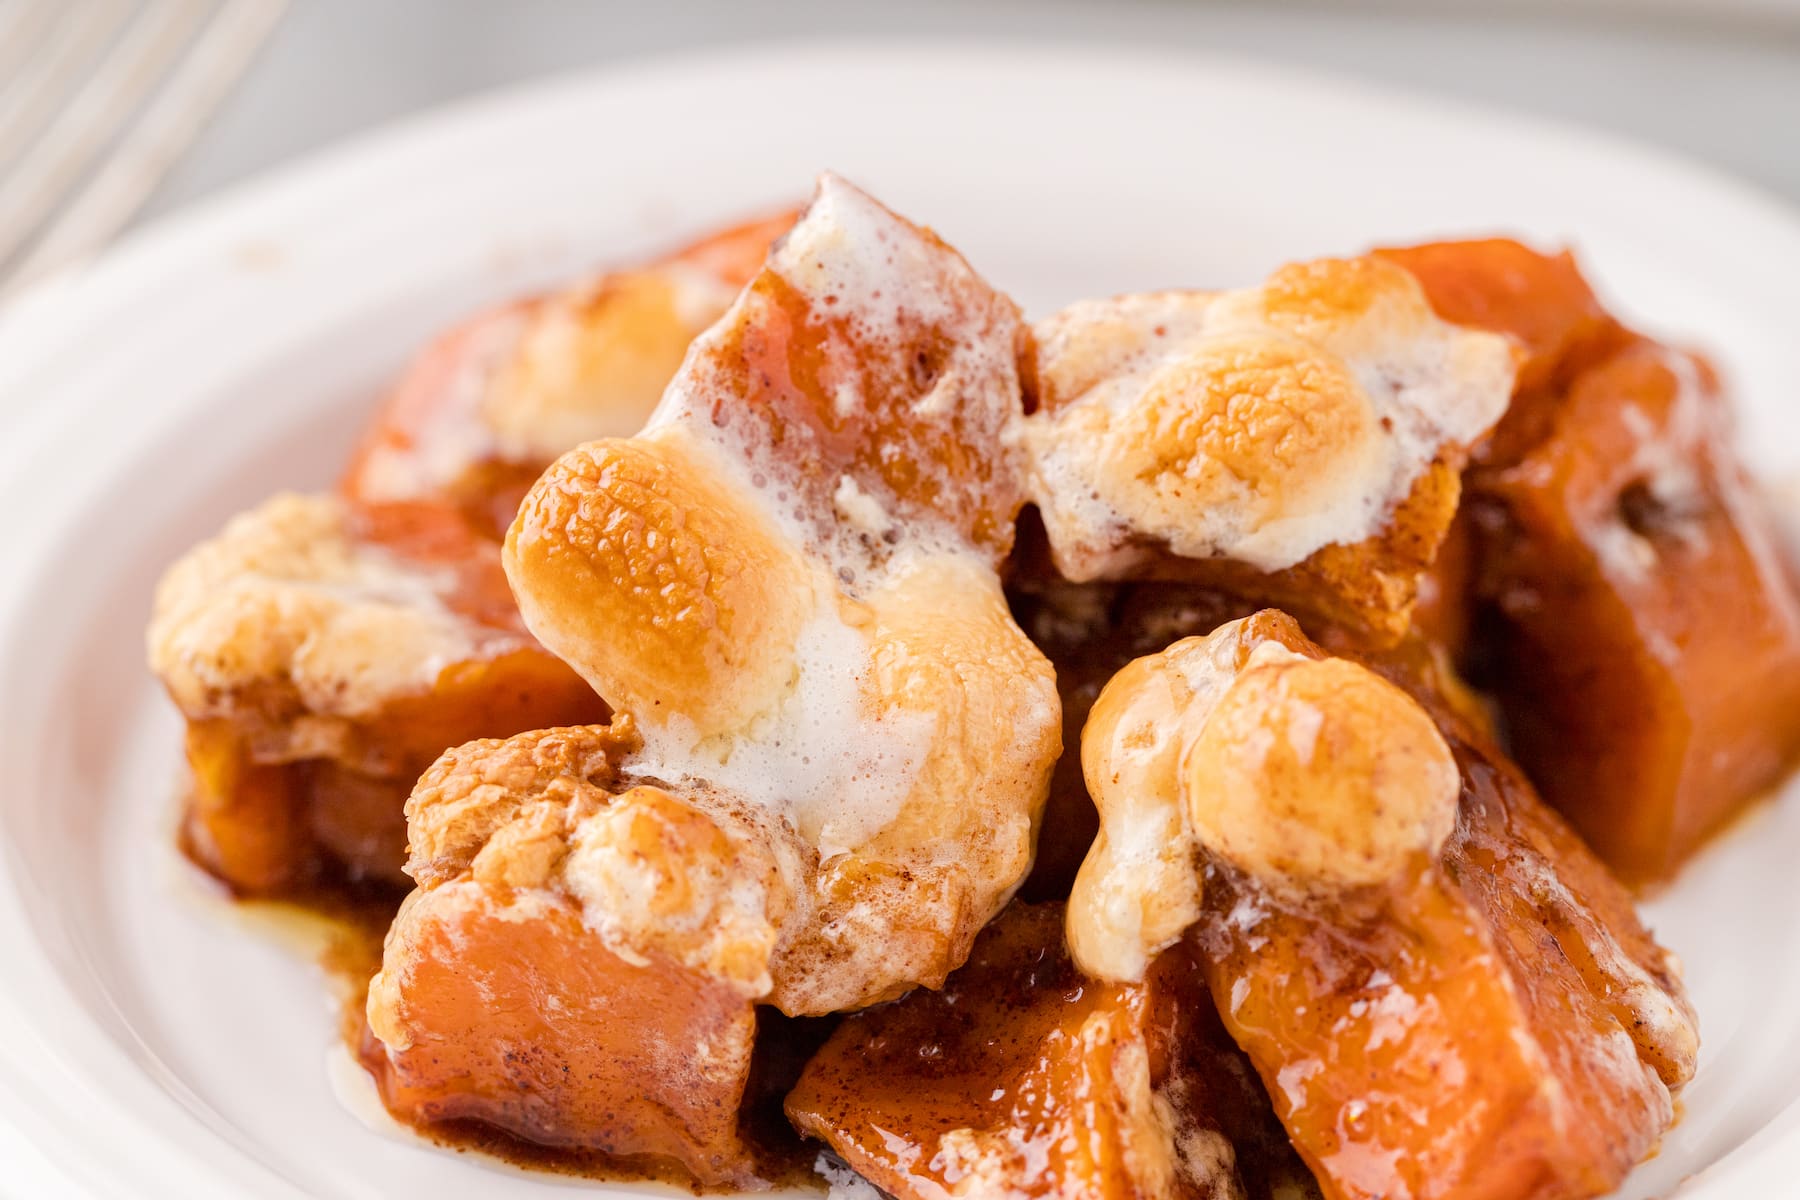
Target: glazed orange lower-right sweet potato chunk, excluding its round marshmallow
[1520,1026]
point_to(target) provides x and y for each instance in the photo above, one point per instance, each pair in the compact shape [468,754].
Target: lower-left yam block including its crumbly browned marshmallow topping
[503,1001]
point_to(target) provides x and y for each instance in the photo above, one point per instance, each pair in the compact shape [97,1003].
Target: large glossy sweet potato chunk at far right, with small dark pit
[1648,649]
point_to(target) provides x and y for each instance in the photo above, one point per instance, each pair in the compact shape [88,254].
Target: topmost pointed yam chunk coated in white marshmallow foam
[870,375]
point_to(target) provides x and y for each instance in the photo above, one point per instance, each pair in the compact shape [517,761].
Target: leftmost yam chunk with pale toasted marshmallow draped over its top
[325,656]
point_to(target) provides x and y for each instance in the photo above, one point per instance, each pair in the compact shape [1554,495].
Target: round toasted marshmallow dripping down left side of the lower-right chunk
[1250,748]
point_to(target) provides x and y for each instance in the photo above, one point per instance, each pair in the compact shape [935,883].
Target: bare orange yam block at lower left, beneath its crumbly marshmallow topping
[508,1010]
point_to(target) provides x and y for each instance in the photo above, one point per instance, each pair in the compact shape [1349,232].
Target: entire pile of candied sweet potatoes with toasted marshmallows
[1196,746]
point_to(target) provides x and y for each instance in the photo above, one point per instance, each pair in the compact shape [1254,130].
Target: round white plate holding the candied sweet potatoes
[150,1046]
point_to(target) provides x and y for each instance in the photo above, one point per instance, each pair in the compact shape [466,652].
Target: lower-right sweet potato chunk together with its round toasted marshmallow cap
[1444,992]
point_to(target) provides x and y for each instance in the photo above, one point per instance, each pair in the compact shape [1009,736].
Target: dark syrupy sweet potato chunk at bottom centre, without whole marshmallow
[1023,1079]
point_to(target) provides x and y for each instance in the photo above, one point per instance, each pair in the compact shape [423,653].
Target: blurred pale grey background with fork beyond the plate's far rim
[114,112]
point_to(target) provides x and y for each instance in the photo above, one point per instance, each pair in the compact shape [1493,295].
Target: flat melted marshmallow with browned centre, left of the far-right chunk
[1255,425]
